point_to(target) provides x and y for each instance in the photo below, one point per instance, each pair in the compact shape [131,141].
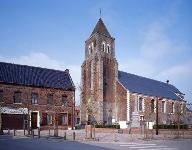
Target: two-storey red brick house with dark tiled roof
[45,95]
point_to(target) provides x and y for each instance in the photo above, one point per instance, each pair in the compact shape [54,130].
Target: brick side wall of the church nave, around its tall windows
[164,117]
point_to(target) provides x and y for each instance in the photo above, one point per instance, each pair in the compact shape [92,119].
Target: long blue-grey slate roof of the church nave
[146,86]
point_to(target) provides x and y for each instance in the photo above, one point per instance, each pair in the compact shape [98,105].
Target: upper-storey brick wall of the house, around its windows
[41,106]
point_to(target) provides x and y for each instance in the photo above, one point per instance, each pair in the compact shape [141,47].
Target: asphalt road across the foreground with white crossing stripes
[8,142]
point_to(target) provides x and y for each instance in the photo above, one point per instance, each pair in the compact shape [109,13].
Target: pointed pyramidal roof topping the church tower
[101,28]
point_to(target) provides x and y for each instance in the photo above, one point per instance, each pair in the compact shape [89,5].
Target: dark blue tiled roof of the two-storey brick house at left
[35,76]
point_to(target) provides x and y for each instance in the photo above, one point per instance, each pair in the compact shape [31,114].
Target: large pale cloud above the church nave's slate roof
[159,58]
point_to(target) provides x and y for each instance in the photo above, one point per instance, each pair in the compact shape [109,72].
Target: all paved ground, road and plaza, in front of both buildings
[104,141]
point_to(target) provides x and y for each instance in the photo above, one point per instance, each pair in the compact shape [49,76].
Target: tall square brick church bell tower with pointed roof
[98,77]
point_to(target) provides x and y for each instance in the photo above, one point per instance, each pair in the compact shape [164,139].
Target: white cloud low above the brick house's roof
[39,59]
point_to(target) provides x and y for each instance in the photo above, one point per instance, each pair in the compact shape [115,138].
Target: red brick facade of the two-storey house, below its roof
[42,108]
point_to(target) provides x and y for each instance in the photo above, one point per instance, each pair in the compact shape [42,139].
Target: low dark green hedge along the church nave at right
[172,126]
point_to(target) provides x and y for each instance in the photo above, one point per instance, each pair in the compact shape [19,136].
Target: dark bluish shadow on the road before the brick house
[8,143]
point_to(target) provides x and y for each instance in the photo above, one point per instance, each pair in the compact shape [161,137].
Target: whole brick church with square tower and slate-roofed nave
[110,96]
